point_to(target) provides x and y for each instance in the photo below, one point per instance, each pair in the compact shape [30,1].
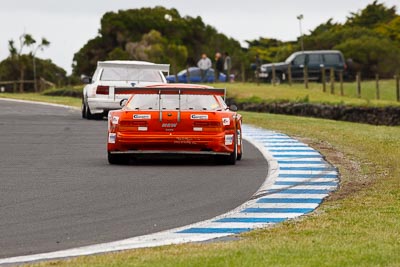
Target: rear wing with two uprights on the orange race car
[171,91]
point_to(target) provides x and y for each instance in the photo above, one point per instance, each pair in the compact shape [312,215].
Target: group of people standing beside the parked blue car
[222,65]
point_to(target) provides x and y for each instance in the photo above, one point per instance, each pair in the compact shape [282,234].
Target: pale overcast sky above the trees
[69,24]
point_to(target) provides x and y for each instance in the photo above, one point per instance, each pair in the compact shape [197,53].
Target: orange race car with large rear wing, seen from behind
[174,119]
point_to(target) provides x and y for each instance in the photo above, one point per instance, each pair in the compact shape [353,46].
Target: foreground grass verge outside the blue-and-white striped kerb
[359,225]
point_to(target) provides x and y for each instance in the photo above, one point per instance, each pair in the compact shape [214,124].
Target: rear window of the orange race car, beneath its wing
[171,102]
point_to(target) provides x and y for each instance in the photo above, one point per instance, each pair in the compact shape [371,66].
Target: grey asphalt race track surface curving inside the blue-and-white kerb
[58,191]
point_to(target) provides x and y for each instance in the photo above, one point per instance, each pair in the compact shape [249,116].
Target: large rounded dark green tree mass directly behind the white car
[145,34]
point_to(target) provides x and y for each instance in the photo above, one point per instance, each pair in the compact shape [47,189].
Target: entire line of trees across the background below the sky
[369,39]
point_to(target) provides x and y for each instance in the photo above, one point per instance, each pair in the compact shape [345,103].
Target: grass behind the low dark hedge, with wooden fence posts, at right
[297,93]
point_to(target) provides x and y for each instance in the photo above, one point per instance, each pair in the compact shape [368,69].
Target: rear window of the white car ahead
[130,74]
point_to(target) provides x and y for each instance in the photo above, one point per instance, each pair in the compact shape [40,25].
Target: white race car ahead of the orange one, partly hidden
[99,94]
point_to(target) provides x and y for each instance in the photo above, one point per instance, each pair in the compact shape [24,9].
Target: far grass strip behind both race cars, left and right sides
[264,93]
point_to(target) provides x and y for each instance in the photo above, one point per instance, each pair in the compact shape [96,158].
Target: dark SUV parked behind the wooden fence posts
[314,60]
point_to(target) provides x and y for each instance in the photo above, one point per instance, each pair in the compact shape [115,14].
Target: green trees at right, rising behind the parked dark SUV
[369,39]
